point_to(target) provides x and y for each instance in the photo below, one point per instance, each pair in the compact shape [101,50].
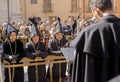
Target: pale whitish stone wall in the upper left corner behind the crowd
[14,11]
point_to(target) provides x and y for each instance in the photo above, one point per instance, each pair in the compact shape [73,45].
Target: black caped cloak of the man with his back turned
[98,51]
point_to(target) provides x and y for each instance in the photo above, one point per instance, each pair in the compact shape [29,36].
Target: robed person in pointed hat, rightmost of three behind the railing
[54,46]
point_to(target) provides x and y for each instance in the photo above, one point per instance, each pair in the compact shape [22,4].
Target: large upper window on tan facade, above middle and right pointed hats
[47,6]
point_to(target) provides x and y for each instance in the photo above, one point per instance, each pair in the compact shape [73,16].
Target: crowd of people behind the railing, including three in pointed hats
[36,39]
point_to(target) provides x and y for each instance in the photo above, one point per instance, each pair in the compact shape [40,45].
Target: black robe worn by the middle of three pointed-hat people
[36,73]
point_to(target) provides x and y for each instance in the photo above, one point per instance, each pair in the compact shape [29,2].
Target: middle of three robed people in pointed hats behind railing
[33,49]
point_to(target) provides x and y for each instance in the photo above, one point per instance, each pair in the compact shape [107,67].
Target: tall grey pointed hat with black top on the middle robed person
[34,29]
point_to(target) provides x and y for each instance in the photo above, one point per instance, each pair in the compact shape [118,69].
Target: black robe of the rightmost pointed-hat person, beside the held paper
[55,45]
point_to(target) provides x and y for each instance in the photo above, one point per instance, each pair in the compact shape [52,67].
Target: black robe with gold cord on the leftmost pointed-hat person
[18,72]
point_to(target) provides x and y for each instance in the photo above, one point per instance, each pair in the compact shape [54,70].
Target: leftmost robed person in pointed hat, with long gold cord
[13,52]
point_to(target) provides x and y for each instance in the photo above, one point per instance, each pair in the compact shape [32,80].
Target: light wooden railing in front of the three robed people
[37,61]
